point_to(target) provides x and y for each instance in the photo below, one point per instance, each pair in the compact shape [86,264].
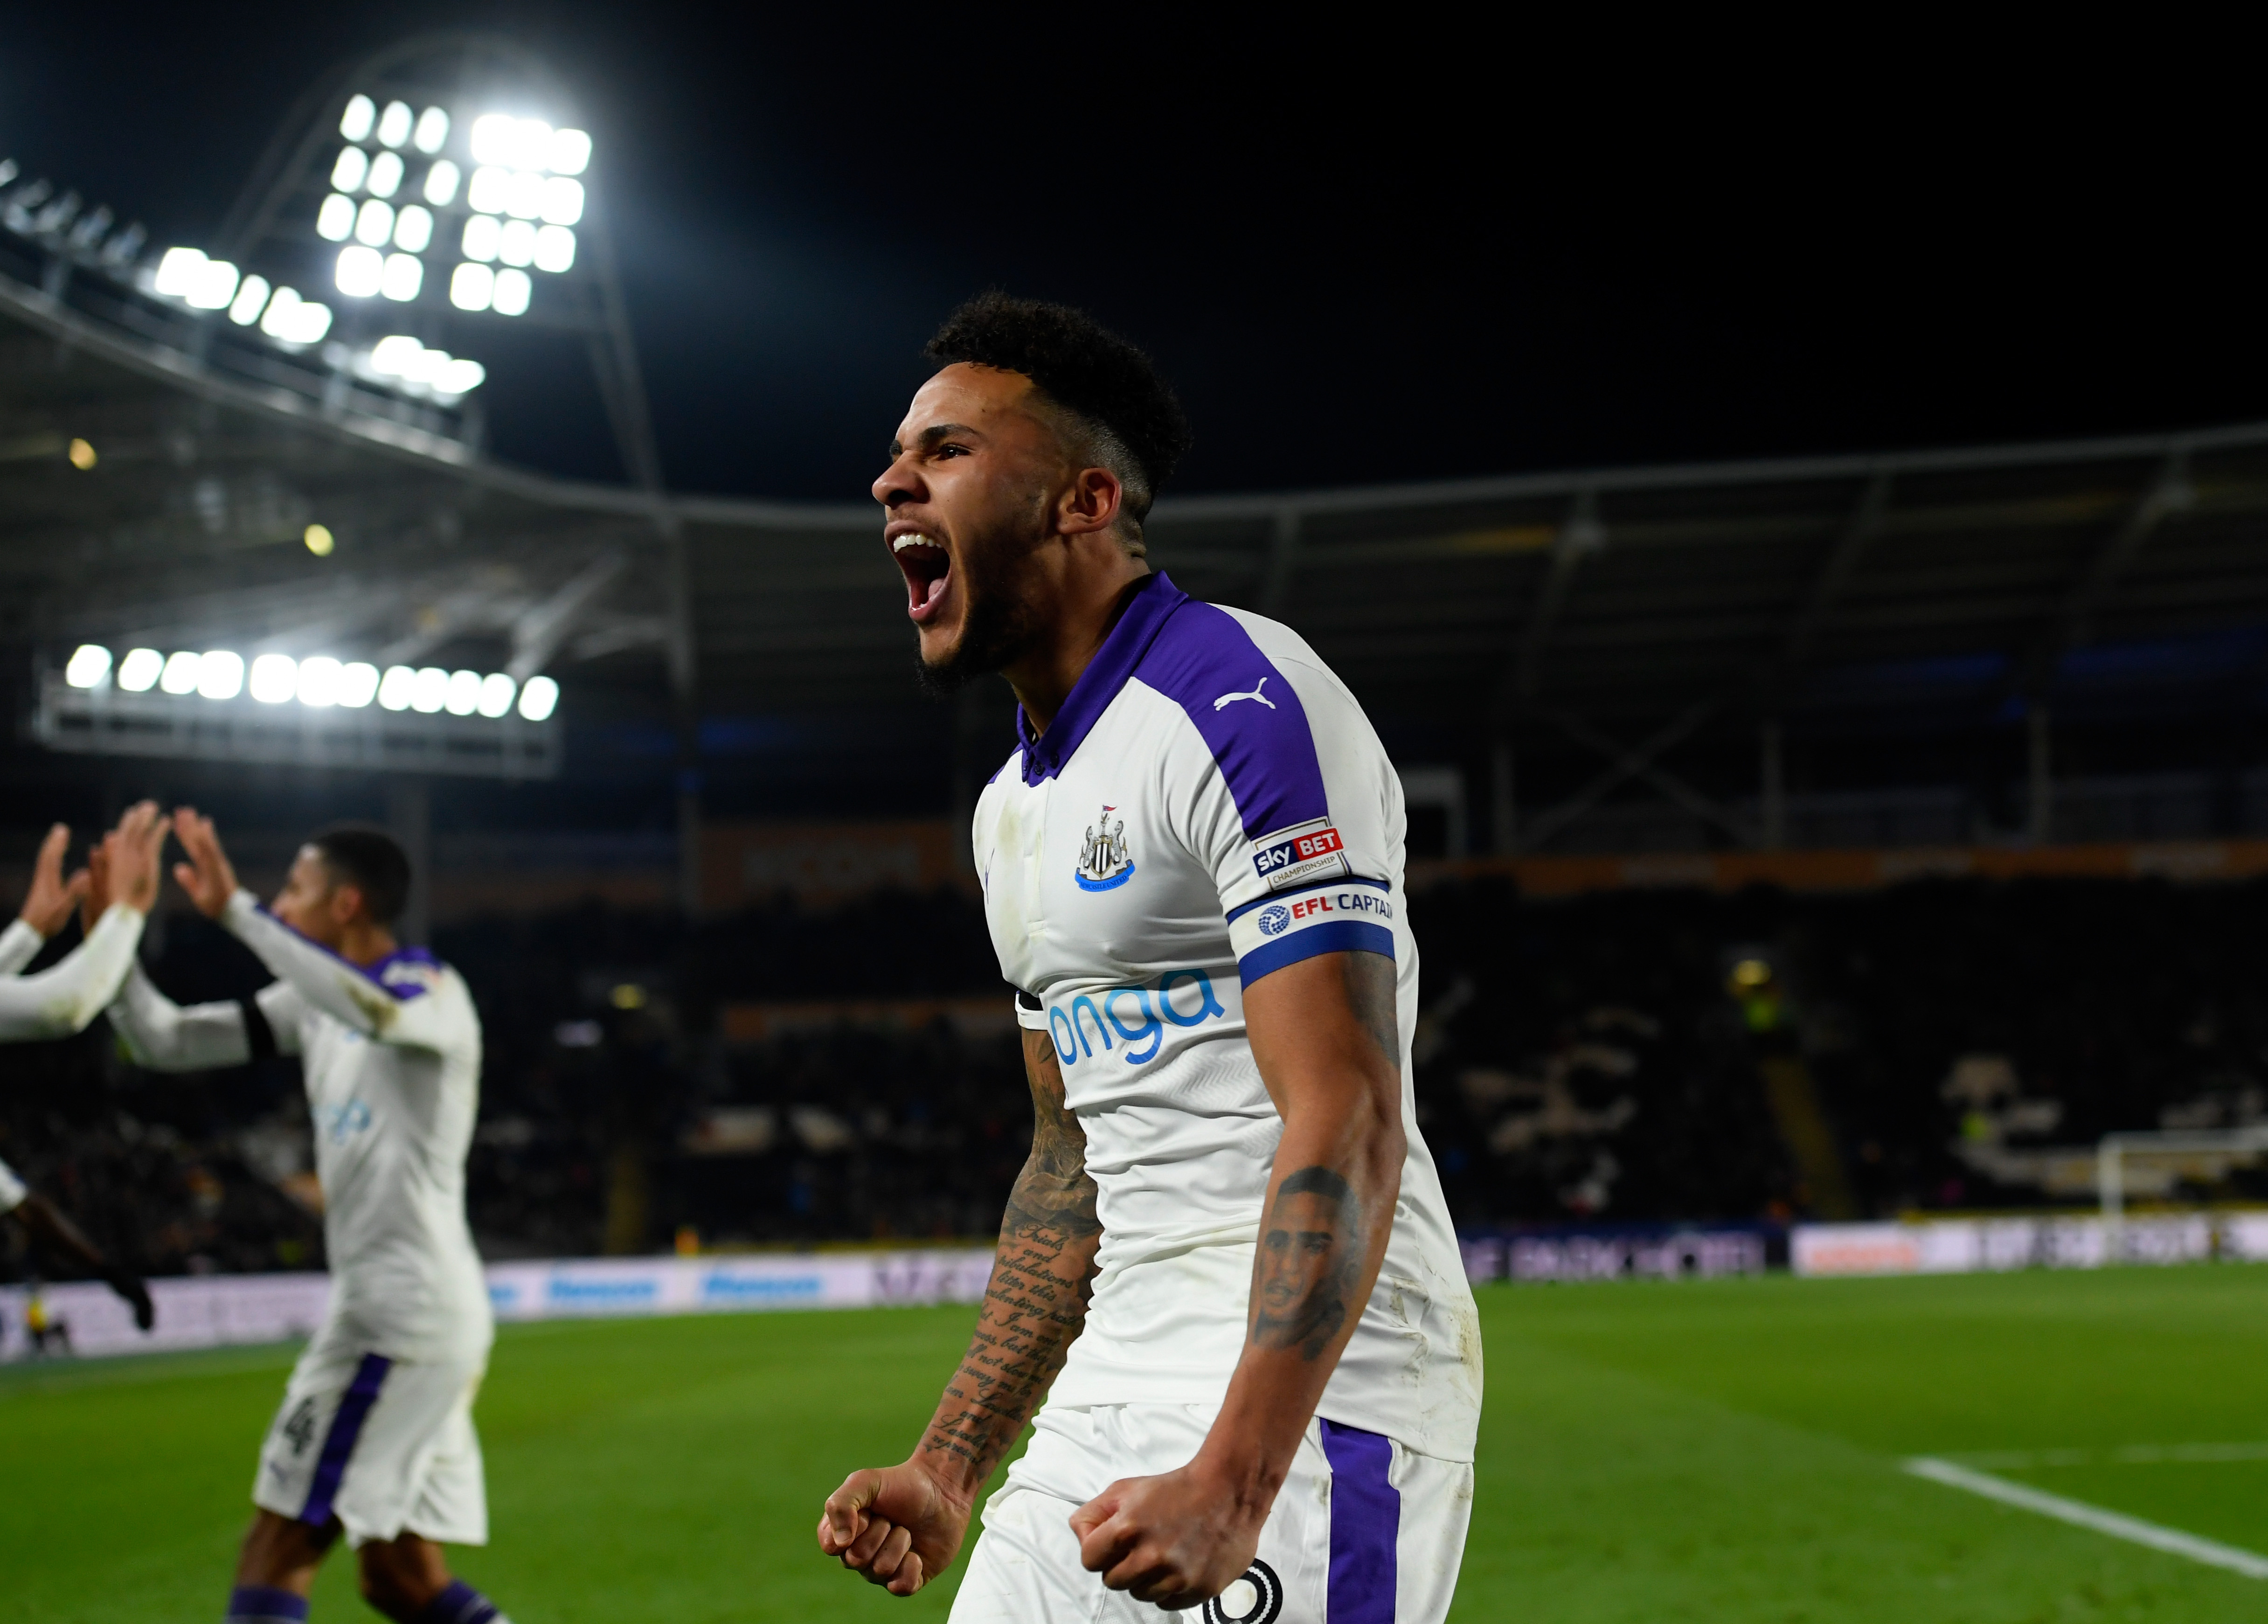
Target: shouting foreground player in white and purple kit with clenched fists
[1228,1264]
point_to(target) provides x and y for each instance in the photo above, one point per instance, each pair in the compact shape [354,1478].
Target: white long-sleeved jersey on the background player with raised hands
[393,1085]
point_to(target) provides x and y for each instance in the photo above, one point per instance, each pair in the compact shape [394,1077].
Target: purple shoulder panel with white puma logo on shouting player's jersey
[1264,747]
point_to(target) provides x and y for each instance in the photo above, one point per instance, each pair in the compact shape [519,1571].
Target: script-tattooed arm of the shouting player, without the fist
[1038,1299]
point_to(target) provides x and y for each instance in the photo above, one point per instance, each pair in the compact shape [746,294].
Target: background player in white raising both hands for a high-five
[375,1432]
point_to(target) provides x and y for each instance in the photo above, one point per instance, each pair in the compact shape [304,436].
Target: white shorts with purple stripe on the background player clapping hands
[384,1446]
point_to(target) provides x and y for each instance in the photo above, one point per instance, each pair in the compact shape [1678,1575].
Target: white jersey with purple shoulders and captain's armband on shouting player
[1208,809]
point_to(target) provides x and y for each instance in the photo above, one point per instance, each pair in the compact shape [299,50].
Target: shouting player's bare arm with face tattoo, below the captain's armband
[1323,1033]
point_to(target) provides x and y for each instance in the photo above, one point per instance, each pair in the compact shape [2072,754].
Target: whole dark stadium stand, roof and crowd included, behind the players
[1661,731]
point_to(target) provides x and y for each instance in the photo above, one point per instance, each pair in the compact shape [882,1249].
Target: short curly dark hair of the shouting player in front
[1128,414]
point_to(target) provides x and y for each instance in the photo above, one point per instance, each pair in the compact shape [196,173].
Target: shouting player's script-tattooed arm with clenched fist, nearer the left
[904,1525]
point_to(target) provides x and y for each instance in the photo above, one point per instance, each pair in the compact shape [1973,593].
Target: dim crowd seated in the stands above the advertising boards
[1580,1060]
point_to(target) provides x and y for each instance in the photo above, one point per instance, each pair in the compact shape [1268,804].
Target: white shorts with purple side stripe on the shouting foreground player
[1364,1530]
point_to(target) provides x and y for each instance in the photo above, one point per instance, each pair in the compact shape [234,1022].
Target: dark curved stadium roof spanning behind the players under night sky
[1611,614]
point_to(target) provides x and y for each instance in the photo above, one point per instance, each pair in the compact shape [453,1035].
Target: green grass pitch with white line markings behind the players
[1652,1453]
